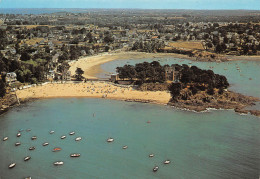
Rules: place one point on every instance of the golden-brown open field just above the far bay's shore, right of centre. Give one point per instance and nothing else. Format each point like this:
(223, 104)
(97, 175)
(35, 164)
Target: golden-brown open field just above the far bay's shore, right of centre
(192, 45)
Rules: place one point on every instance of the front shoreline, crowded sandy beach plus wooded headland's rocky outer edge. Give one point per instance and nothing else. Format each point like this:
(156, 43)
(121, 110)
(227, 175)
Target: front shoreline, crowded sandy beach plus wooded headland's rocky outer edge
(106, 90)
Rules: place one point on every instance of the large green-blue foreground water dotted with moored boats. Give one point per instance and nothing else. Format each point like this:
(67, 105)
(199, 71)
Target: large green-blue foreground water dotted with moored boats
(219, 144)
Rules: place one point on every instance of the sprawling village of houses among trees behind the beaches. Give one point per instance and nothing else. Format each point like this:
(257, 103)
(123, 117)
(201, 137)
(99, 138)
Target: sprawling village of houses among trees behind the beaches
(38, 48)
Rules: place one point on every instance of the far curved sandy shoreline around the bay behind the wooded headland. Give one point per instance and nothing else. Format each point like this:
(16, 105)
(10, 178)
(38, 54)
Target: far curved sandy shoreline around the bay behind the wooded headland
(91, 65)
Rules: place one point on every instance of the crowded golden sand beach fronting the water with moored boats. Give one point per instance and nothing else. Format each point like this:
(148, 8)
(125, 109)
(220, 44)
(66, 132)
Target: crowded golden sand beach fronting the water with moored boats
(93, 90)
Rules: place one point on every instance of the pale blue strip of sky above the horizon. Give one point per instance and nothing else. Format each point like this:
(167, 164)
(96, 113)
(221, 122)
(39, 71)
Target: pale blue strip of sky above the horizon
(142, 4)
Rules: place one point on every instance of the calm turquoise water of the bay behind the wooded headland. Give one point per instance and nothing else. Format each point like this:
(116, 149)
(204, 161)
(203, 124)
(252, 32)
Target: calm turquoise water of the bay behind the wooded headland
(245, 81)
